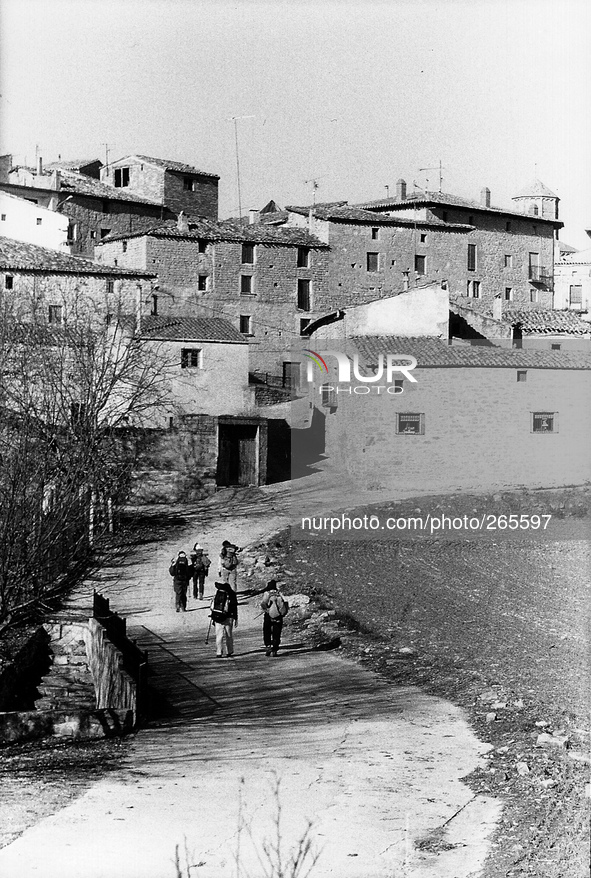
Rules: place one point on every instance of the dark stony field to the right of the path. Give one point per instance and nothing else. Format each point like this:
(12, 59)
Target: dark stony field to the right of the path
(499, 627)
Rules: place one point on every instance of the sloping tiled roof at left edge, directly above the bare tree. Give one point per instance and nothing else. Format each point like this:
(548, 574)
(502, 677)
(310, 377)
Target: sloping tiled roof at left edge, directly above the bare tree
(18, 256)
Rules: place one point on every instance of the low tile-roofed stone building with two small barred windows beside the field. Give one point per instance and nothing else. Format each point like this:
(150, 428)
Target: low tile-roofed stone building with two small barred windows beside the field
(475, 418)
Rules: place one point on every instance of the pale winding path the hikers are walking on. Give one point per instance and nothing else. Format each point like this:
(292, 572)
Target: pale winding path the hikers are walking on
(375, 768)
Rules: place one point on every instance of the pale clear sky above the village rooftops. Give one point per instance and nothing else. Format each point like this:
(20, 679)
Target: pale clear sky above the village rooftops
(353, 94)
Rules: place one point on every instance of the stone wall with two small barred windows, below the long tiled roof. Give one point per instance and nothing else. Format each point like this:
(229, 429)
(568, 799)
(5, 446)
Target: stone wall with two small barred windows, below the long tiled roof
(478, 431)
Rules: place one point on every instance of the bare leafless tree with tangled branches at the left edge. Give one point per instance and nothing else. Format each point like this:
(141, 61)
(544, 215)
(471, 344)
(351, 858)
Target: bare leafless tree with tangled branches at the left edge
(68, 393)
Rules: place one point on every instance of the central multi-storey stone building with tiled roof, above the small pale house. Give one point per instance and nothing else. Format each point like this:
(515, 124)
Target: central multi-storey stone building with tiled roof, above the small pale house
(269, 282)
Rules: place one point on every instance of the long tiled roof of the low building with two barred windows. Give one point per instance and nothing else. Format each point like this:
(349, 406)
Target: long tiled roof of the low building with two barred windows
(434, 353)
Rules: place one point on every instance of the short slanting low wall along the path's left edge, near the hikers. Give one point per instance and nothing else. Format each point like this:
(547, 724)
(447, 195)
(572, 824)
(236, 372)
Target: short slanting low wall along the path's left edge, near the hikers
(114, 688)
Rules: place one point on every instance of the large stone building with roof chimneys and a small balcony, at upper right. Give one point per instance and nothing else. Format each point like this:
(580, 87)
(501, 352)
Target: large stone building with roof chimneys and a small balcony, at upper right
(380, 248)
